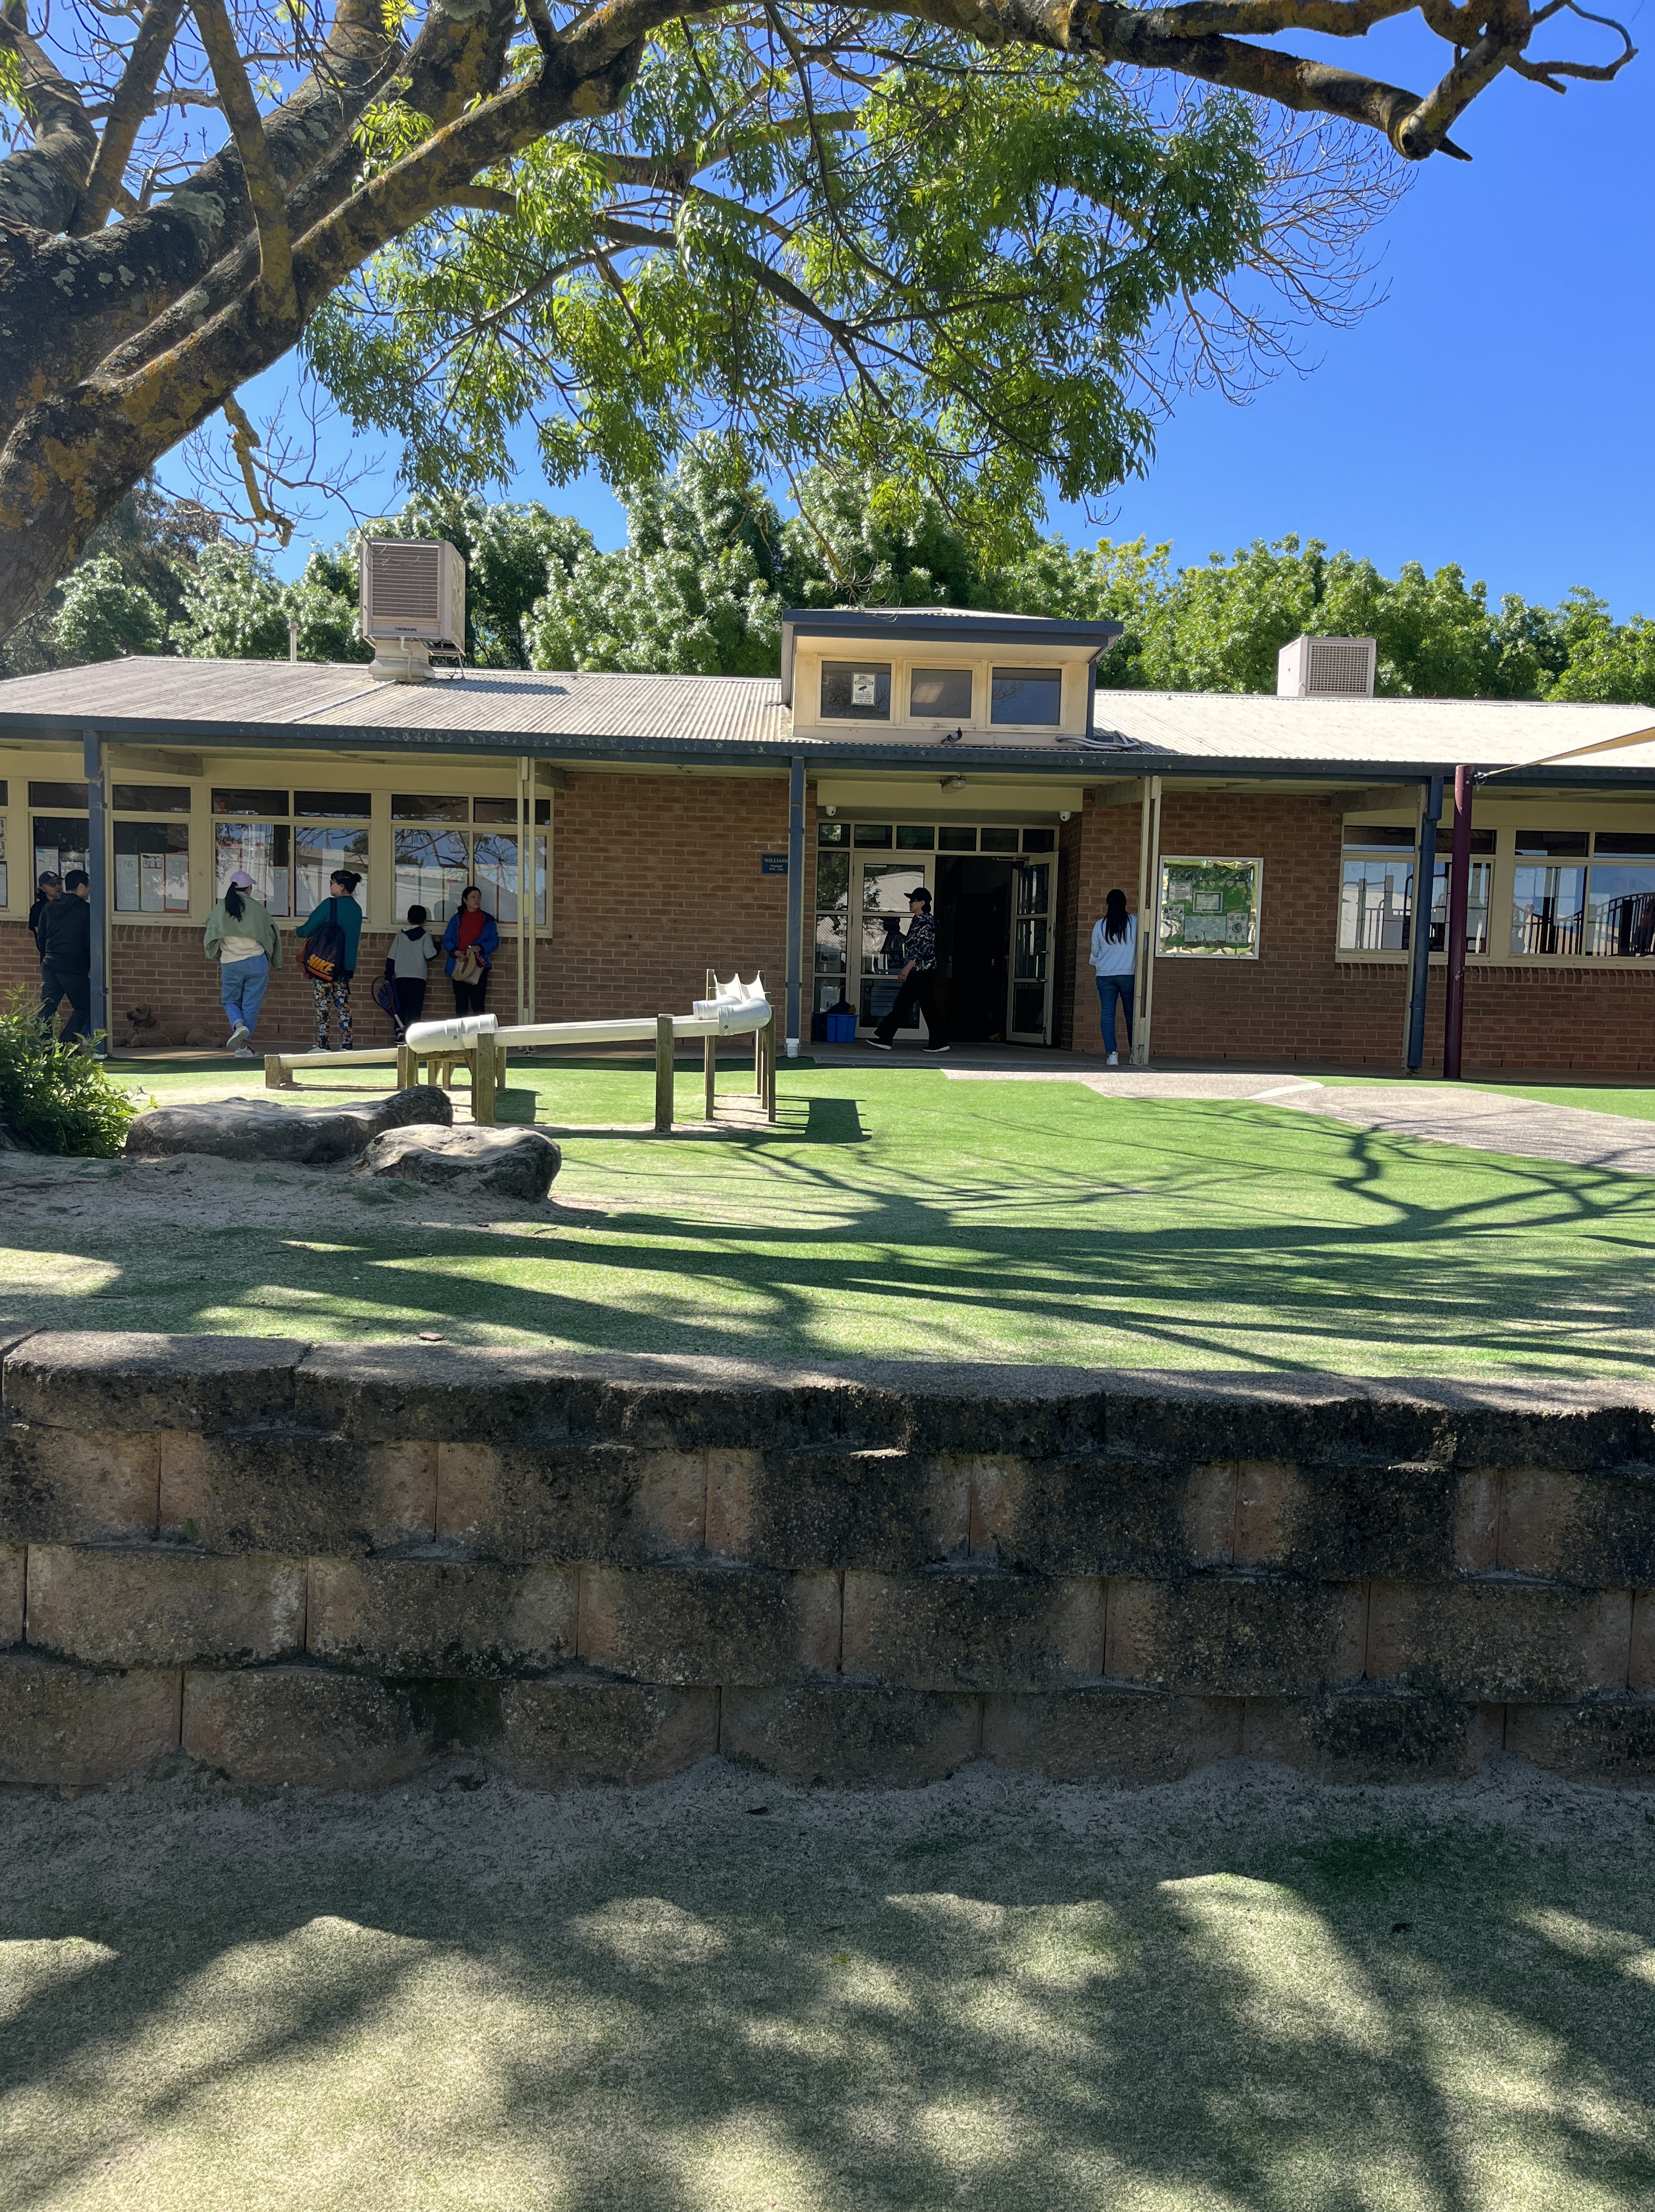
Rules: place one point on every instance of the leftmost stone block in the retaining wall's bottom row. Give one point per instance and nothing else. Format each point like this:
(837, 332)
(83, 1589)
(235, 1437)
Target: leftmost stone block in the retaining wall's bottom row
(76, 1729)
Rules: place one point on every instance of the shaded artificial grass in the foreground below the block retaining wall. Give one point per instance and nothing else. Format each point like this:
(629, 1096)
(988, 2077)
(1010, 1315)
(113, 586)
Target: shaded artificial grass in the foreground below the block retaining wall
(727, 1996)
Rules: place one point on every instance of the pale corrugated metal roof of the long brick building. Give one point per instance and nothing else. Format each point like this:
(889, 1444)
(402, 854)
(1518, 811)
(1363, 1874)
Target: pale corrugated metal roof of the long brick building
(218, 702)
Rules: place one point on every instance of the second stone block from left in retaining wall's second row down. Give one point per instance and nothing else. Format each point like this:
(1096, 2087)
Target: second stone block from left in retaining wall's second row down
(298, 1492)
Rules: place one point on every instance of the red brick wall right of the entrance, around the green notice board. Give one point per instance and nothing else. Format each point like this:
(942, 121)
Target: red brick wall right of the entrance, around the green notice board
(1295, 1003)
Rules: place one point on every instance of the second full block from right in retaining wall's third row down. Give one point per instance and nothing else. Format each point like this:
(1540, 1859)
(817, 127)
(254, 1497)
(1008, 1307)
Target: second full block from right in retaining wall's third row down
(1236, 1634)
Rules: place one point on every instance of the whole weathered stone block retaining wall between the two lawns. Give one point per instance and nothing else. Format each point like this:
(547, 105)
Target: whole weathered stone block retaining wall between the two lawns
(326, 1565)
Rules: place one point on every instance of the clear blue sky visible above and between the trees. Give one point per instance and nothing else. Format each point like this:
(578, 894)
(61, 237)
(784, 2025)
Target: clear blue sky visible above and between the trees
(1490, 410)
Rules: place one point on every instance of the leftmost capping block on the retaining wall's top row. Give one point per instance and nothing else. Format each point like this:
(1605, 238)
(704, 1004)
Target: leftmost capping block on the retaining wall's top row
(83, 1379)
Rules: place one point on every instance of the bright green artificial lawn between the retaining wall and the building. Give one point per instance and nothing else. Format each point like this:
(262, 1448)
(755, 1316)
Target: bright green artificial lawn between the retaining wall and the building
(904, 1215)
